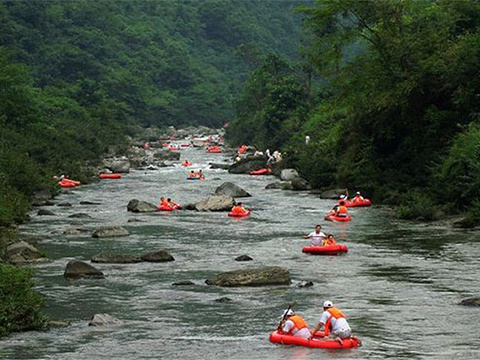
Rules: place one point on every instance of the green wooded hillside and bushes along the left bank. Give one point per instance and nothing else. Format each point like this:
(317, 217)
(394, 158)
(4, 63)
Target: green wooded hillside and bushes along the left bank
(76, 77)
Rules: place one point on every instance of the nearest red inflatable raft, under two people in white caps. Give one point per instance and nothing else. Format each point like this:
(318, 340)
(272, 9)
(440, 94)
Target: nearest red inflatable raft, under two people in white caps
(317, 342)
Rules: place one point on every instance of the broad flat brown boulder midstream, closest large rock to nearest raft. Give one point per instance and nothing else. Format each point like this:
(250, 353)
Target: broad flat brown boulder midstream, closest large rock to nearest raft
(270, 275)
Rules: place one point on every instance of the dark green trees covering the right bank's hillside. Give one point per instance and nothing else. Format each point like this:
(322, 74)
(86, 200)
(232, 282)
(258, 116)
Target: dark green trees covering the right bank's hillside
(394, 105)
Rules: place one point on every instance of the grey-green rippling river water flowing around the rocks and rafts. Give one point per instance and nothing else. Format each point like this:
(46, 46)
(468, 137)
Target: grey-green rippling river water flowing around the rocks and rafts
(400, 283)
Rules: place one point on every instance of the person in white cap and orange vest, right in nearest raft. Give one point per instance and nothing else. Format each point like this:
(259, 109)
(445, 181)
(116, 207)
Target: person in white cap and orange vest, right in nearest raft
(335, 323)
